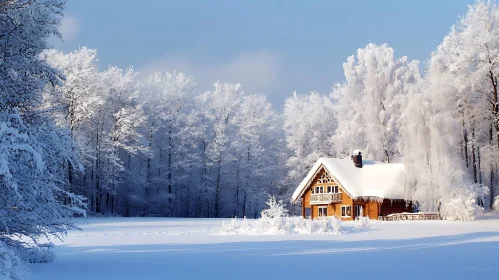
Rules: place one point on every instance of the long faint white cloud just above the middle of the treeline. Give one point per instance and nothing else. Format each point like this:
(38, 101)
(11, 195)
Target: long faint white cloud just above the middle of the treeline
(257, 71)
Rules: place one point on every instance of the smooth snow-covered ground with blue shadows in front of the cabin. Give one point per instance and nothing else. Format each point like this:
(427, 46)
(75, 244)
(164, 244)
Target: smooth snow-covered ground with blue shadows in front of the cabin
(156, 248)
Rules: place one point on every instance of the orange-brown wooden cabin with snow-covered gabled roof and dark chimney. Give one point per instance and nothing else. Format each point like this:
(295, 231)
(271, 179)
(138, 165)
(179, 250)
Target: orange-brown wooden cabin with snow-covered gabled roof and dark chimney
(352, 187)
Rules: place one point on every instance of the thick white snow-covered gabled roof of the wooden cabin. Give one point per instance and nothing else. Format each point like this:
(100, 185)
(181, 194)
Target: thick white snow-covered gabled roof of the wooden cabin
(374, 179)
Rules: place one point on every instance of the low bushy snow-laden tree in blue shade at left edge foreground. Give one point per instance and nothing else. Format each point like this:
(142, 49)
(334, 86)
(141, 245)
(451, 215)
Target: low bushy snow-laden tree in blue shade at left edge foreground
(32, 196)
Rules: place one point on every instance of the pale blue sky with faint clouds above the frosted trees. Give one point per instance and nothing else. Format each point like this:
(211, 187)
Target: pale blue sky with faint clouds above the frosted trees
(271, 47)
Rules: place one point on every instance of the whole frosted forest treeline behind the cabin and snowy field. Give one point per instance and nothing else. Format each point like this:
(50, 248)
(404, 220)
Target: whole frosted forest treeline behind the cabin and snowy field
(160, 146)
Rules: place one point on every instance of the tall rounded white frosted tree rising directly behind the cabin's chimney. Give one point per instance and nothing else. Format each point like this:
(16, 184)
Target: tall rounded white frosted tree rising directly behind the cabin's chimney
(368, 104)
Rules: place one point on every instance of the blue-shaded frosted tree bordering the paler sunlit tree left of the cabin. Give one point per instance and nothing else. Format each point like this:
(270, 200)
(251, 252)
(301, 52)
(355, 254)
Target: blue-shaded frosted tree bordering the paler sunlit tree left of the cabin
(259, 147)
